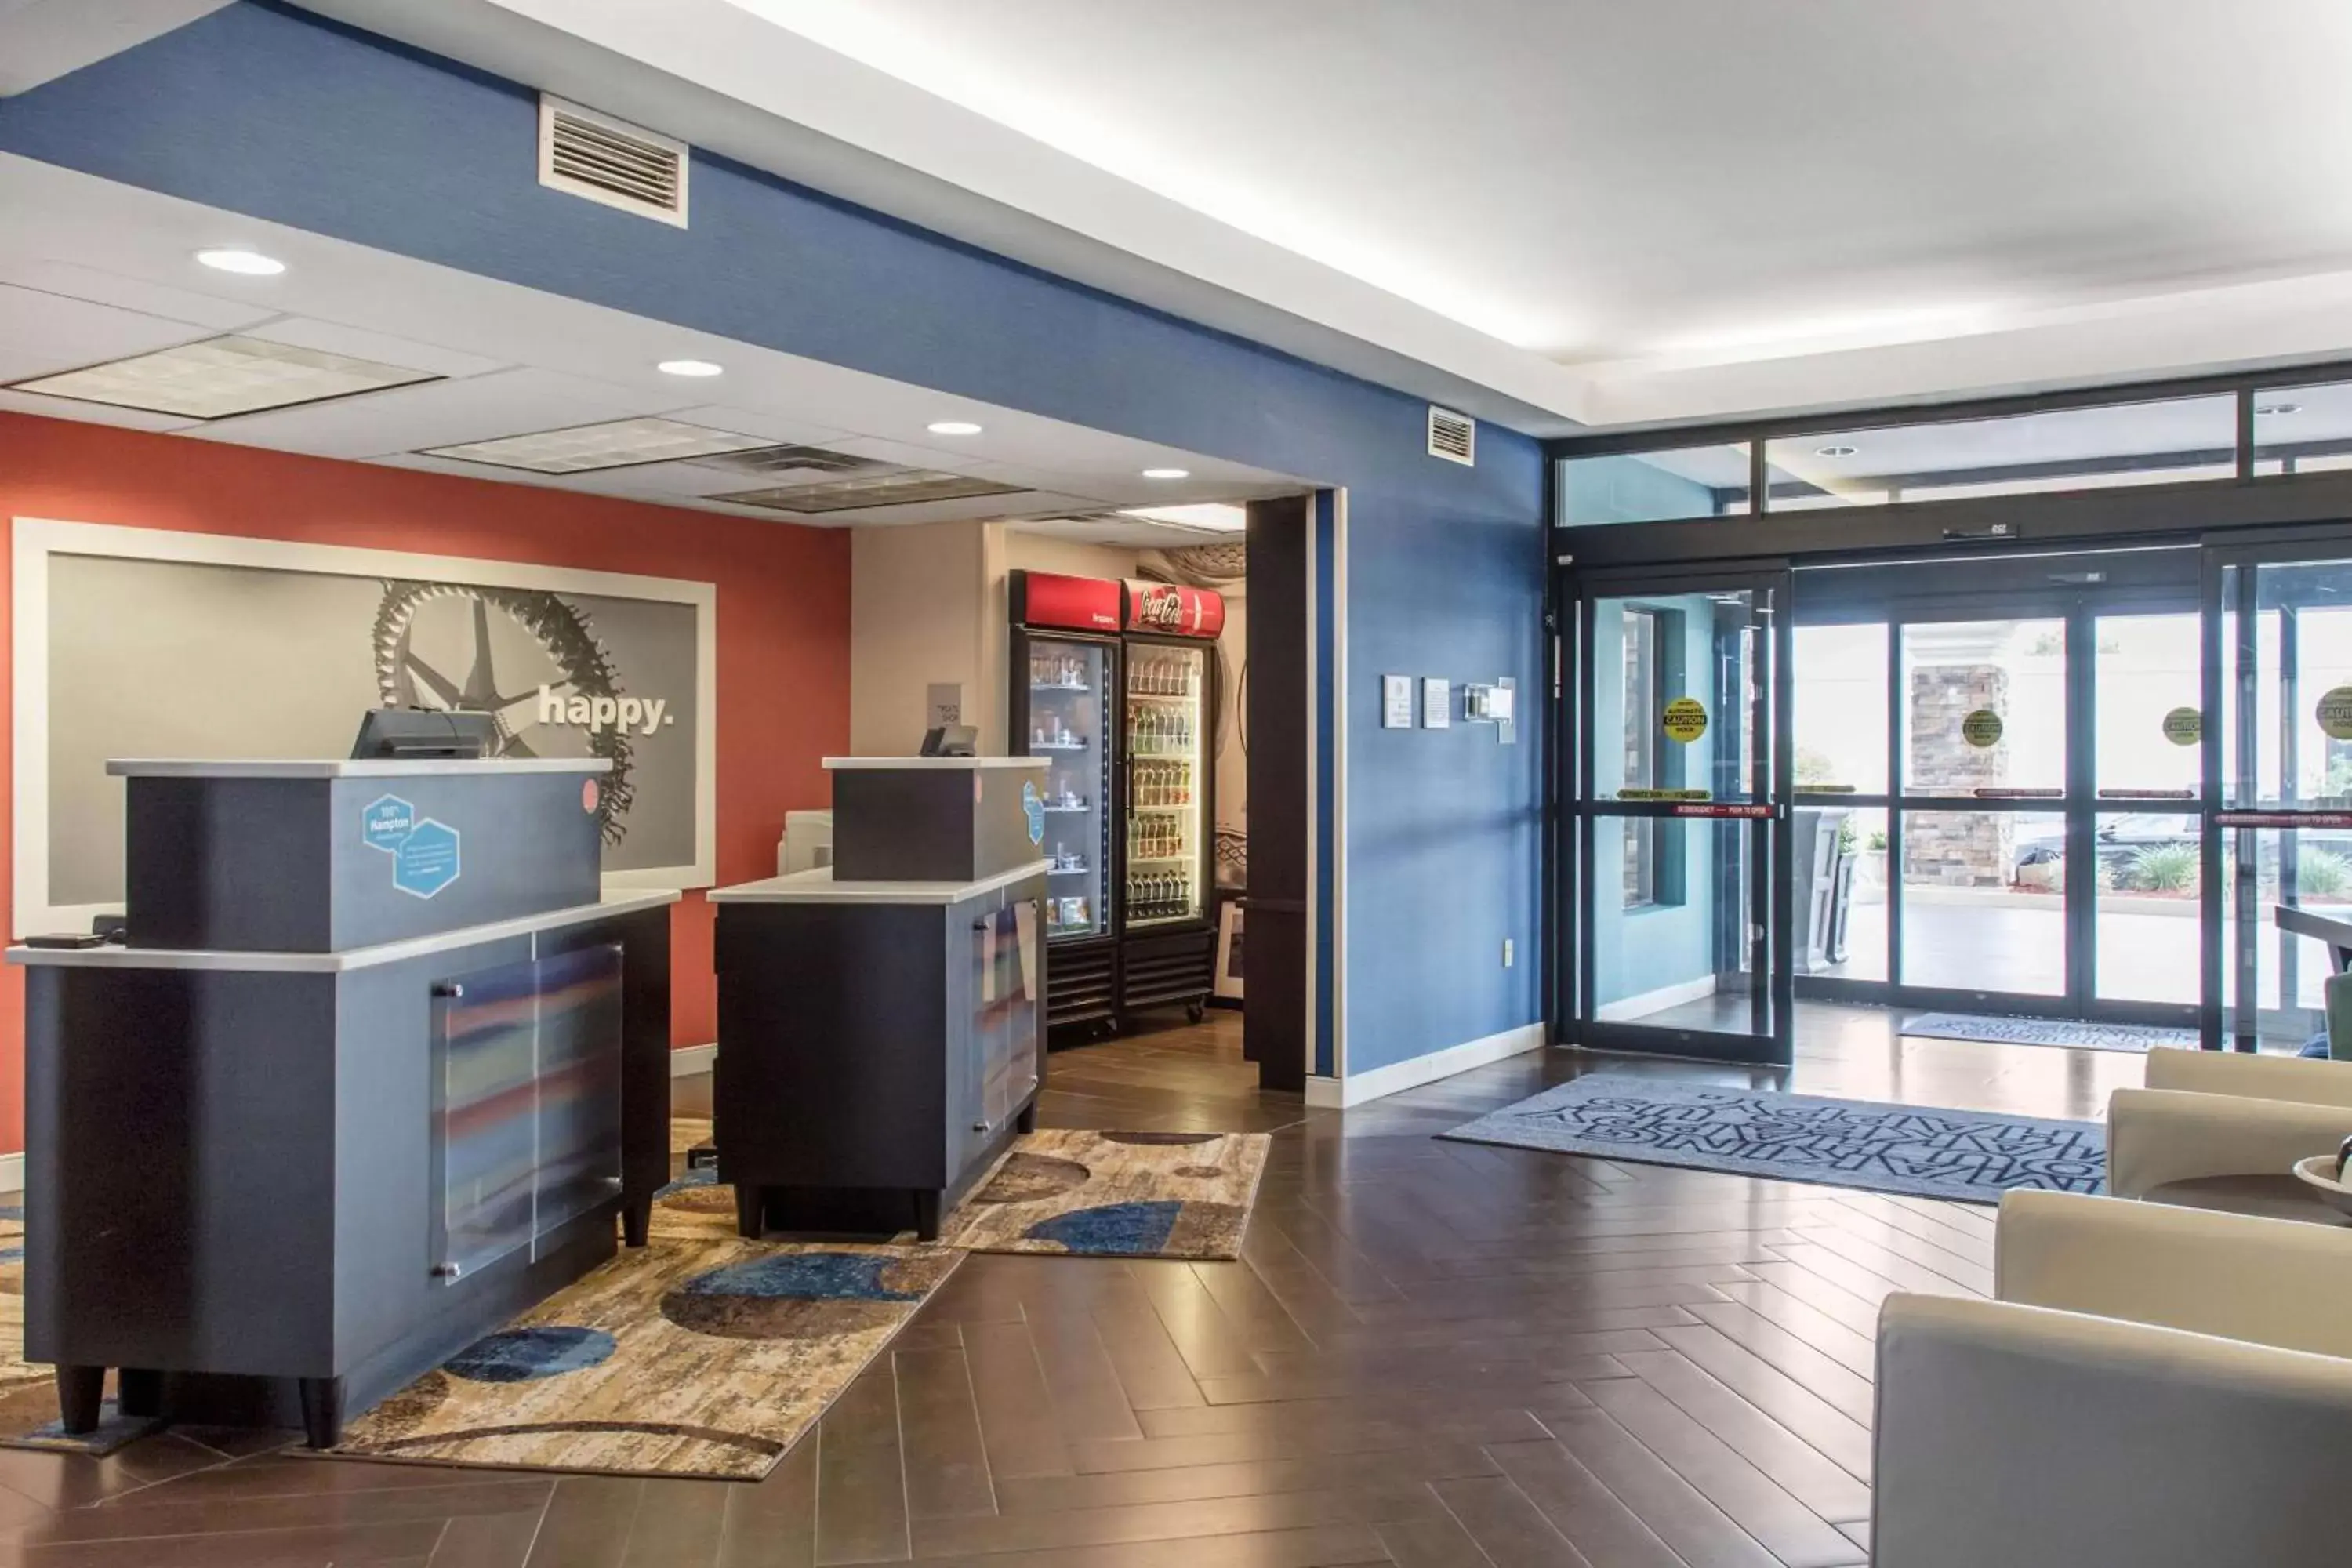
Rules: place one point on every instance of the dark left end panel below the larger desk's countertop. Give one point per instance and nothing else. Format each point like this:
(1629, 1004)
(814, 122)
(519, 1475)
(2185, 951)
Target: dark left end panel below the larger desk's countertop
(180, 1170)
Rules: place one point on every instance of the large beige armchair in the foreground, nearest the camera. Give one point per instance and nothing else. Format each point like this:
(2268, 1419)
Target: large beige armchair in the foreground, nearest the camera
(2160, 1388)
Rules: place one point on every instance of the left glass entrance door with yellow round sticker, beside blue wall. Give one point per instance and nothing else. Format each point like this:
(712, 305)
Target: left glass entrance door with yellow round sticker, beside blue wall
(1681, 829)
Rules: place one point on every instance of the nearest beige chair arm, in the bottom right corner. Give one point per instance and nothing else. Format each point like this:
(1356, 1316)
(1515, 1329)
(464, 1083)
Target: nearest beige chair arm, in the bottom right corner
(2014, 1435)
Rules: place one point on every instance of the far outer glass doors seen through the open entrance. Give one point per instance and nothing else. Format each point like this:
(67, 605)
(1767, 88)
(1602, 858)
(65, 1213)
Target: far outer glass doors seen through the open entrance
(1998, 772)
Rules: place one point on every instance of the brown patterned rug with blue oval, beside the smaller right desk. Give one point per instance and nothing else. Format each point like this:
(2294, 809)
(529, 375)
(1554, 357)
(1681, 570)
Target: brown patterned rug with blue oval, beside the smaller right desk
(1116, 1195)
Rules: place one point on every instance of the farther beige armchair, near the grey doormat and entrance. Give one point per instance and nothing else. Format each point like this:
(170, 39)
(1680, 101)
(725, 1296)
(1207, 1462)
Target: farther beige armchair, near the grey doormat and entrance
(2224, 1113)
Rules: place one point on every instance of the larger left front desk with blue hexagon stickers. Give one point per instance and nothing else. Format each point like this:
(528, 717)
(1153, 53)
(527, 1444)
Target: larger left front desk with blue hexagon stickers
(276, 1172)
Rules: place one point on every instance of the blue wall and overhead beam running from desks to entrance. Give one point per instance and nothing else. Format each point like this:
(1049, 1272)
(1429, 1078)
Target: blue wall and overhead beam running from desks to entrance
(290, 119)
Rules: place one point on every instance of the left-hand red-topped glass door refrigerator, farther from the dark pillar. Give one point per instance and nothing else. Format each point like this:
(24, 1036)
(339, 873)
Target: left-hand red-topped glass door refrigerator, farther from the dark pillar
(1064, 706)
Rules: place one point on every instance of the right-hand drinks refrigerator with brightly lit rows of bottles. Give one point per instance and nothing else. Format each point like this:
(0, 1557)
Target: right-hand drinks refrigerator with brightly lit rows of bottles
(1168, 937)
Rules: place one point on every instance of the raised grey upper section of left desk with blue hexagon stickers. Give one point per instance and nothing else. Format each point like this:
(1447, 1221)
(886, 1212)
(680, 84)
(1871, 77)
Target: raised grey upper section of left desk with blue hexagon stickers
(288, 864)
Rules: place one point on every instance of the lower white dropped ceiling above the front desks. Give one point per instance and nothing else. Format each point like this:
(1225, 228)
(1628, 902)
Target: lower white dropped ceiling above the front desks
(107, 272)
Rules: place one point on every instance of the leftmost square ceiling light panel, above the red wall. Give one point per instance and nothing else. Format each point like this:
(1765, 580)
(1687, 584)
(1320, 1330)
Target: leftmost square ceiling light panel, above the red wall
(222, 377)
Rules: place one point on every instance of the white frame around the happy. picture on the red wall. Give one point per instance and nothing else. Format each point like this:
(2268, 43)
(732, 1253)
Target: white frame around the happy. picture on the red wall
(36, 540)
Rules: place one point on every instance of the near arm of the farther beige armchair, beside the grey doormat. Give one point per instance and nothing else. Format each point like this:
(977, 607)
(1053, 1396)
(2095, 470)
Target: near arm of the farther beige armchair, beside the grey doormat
(2163, 1137)
